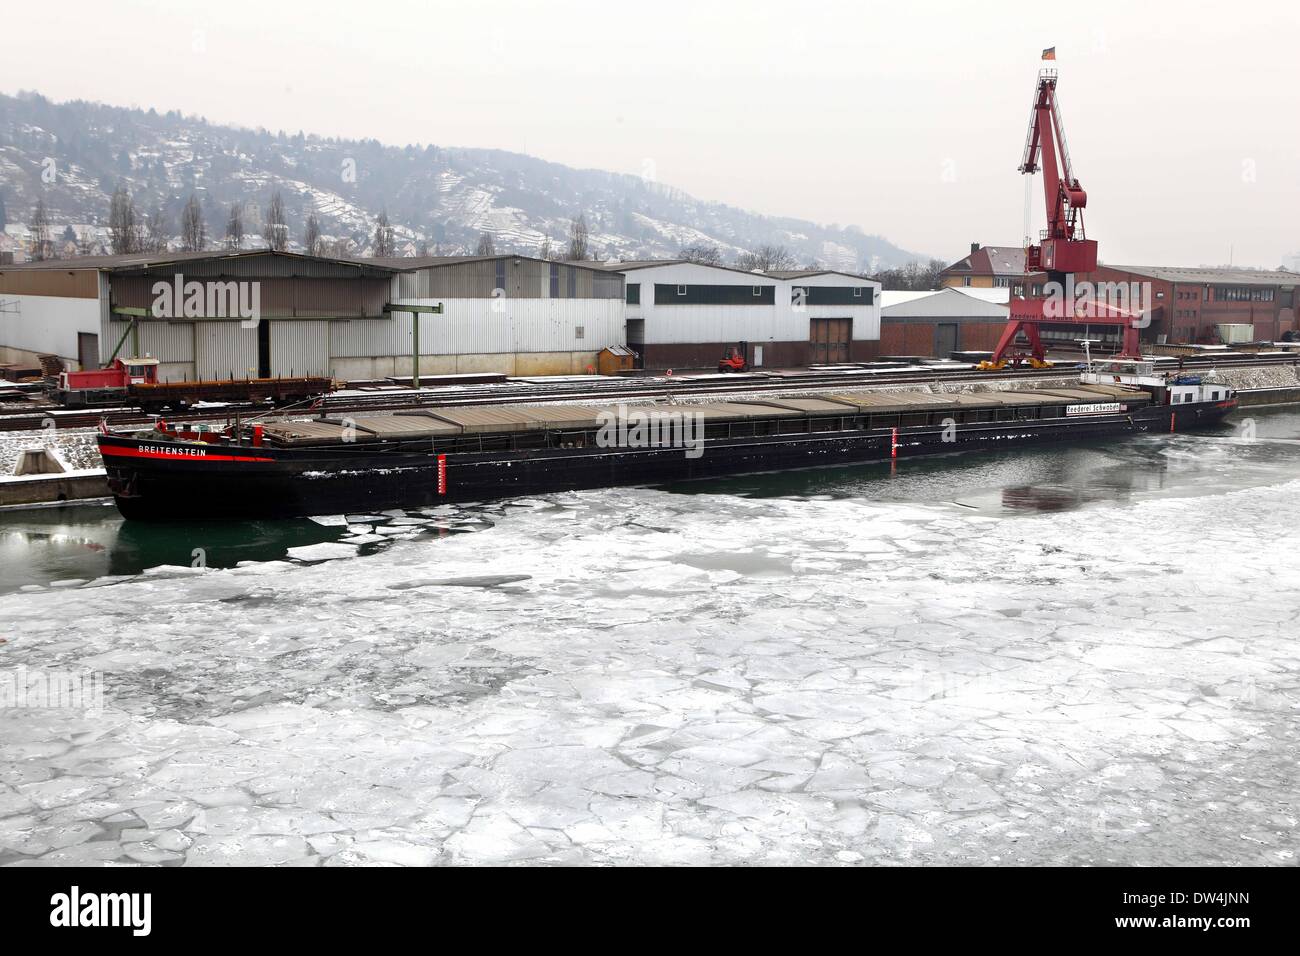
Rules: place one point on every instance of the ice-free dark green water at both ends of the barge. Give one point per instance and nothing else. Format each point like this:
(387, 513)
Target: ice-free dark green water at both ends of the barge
(88, 542)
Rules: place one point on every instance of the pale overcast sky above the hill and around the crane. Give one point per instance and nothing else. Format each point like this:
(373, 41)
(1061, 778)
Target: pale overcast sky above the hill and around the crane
(907, 119)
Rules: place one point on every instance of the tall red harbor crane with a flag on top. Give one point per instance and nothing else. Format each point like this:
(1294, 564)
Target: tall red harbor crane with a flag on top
(1063, 249)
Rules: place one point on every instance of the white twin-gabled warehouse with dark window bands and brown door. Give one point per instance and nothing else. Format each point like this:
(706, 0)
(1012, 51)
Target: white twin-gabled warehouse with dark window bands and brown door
(688, 315)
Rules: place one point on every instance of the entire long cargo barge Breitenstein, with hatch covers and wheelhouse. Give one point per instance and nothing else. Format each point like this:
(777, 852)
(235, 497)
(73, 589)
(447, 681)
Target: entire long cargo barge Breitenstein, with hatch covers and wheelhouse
(471, 453)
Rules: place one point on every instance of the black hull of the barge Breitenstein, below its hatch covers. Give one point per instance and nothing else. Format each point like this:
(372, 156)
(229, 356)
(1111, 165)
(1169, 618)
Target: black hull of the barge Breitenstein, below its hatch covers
(155, 481)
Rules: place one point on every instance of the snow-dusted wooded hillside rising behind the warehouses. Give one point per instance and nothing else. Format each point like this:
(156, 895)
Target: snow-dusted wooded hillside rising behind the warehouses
(73, 155)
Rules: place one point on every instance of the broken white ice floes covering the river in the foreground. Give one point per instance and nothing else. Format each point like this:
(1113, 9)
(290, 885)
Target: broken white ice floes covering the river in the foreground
(639, 677)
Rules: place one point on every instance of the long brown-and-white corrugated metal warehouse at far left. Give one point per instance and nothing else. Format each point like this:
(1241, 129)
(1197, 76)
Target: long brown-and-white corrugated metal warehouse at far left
(219, 315)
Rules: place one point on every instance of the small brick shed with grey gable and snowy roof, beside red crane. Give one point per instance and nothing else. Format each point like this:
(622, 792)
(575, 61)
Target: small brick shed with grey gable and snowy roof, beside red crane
(942, 322)
